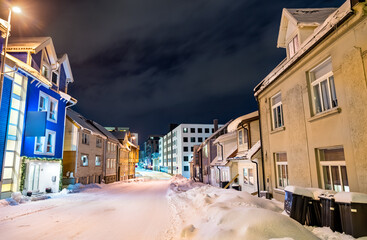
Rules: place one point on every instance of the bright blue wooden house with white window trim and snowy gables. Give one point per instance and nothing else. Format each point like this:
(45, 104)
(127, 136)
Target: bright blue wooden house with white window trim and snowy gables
(32, 117)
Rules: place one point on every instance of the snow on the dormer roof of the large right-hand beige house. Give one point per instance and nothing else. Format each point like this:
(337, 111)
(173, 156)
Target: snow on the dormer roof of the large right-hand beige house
(310, 15)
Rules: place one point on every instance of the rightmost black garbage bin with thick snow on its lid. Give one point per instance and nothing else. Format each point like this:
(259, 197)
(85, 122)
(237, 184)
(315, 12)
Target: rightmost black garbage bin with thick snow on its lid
(353, 212)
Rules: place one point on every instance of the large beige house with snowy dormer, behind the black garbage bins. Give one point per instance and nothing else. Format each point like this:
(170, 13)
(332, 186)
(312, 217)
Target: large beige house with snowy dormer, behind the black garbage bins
(312, 105)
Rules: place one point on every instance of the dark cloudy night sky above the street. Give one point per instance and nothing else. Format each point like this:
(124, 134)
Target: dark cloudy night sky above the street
(147, 63)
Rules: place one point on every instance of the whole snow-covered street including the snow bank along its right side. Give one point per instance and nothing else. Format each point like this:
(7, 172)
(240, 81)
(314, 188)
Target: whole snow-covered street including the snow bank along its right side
(155, 209)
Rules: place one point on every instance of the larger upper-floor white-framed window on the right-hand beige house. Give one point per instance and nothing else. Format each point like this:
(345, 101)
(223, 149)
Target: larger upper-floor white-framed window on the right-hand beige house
(323, 87)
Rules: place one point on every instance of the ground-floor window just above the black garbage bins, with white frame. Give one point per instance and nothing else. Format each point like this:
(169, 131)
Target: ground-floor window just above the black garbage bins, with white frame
(333, 169)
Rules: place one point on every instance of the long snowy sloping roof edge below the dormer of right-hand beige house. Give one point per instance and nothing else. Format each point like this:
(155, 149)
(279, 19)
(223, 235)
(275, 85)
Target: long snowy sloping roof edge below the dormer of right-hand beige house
(321, 31)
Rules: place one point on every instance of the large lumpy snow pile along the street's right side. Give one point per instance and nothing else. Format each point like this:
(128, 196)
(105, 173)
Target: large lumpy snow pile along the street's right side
(208, 212)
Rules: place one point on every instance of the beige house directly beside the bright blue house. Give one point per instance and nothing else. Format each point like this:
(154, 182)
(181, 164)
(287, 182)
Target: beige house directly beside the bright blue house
(83, 150)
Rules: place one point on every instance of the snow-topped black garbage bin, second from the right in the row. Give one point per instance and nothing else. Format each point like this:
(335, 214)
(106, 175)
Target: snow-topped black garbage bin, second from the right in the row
(330, 215)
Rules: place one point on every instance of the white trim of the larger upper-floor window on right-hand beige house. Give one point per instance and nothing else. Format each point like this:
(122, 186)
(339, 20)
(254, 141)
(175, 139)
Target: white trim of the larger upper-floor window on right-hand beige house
(318, 82)
